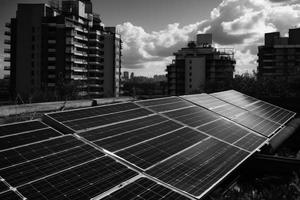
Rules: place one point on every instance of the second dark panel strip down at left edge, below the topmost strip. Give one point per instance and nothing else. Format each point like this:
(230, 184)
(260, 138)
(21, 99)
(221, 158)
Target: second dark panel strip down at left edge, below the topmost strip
(26, 138)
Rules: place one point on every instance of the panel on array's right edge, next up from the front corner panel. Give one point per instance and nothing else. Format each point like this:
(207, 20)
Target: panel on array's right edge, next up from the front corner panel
(230, 132)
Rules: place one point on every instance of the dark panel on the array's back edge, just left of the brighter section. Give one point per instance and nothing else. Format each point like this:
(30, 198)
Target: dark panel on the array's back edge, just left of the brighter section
(165, 104)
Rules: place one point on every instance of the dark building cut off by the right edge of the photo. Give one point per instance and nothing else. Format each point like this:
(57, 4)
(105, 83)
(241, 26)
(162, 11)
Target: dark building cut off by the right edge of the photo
(279, 58)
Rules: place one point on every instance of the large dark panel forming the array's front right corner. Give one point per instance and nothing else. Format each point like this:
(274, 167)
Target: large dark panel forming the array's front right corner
(198, 168)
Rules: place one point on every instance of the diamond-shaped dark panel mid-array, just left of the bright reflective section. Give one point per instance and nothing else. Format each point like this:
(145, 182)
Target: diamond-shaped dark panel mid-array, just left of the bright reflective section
(193, 116)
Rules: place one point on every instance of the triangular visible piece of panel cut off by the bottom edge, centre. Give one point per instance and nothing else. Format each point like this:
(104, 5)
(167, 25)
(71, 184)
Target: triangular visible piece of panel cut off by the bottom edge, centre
(145, 189)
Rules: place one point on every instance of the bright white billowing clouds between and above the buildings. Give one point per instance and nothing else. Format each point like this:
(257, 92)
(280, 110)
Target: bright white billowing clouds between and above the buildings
(234, 23)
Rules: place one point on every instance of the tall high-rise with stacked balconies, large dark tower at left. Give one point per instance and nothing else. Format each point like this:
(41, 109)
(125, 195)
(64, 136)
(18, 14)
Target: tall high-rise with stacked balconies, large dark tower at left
(57, 44)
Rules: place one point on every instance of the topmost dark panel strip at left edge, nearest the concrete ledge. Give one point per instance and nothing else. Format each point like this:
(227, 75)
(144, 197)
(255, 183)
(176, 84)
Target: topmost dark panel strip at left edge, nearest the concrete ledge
(16, 128)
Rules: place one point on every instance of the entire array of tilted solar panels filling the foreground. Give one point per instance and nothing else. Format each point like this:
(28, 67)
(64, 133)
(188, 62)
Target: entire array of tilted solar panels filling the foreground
(168, 148)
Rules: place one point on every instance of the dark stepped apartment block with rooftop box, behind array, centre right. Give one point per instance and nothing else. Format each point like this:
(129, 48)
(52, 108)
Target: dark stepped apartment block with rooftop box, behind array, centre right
(197, 64)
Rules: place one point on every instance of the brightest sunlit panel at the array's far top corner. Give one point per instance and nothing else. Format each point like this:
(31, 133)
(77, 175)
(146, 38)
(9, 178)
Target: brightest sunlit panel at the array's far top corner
(235, 98)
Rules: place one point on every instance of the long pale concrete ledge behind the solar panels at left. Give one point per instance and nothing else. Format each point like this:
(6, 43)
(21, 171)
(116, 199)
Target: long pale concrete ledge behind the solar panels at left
(10, 110)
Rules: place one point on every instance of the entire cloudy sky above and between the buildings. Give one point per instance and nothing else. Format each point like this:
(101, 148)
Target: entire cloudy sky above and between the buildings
(153, 30)
